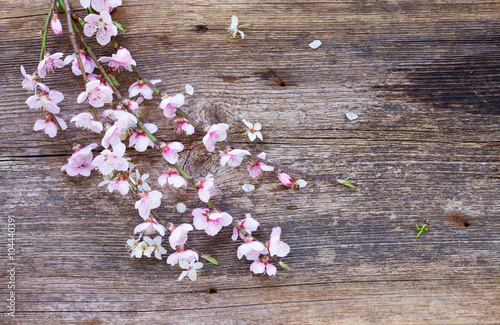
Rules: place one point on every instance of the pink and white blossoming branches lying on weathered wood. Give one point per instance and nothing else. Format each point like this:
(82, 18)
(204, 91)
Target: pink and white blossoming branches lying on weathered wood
(119, 173)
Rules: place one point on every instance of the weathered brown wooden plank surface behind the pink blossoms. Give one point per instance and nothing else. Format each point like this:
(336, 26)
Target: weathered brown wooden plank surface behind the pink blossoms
(424, 78)
